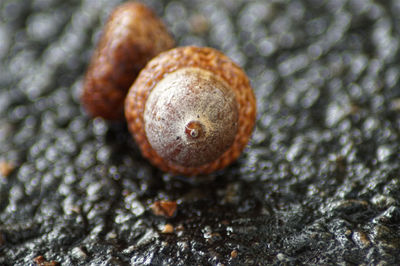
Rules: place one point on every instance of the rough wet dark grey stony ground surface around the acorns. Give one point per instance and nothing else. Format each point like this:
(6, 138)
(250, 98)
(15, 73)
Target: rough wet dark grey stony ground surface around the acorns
(319, 182)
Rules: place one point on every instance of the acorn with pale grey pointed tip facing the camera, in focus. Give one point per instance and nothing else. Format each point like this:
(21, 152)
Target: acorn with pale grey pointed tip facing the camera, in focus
(191, 110)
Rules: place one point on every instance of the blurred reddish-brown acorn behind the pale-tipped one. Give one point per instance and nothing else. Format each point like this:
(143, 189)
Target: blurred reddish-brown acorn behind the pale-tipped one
(132, 36)
